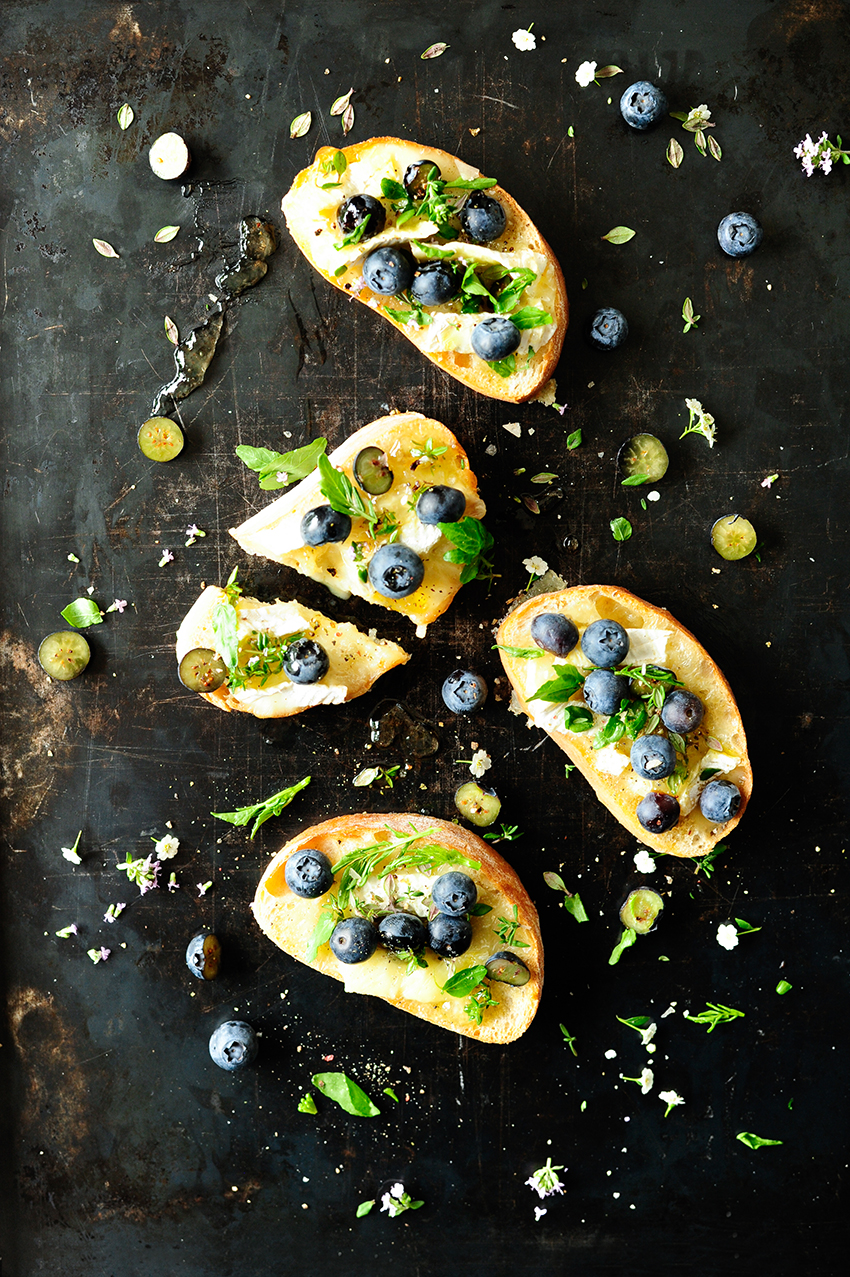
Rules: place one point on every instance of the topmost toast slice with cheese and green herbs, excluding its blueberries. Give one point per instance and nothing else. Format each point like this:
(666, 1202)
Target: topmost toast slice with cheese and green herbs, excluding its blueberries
(514, 275)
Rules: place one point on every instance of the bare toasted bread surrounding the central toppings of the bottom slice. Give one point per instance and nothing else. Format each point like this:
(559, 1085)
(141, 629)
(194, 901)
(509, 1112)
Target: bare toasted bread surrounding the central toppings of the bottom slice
(289, 921)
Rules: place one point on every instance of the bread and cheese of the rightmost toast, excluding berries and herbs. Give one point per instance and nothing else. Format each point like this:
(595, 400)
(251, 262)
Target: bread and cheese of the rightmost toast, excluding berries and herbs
(657, 639)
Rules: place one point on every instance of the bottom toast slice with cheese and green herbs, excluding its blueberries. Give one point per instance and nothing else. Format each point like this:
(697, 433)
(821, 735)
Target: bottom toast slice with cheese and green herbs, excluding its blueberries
(398, 859)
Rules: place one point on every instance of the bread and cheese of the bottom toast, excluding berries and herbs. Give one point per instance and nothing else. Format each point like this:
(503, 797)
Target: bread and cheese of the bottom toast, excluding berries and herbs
(290, 921)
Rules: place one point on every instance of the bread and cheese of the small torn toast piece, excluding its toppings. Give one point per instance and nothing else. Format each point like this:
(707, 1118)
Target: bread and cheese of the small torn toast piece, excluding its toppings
(357, 661)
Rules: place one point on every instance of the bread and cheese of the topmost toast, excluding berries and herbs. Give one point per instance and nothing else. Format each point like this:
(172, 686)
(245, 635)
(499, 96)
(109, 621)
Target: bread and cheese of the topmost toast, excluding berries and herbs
(312, 218)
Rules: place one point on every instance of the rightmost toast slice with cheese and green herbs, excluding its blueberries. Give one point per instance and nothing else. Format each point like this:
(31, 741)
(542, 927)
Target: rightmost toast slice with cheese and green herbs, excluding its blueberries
(715, 752)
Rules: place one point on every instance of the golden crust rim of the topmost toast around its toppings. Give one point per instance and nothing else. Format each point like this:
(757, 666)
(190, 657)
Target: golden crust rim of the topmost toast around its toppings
(520, 234)
